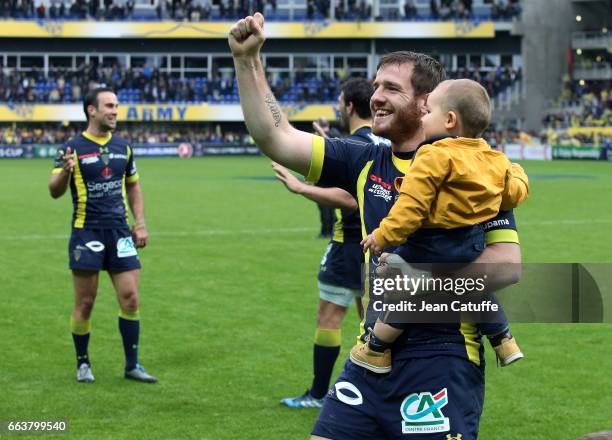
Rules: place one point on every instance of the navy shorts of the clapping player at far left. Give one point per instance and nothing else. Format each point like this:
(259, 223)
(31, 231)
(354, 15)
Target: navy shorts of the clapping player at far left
(102, 249)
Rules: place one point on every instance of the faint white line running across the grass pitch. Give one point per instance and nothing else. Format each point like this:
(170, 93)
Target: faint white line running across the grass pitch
(212, 232)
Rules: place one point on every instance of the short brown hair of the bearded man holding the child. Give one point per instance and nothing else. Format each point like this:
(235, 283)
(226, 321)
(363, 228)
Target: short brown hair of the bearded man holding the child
(427, 72)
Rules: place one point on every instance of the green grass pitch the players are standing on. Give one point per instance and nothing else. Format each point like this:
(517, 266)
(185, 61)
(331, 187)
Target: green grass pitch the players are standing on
(228, 309)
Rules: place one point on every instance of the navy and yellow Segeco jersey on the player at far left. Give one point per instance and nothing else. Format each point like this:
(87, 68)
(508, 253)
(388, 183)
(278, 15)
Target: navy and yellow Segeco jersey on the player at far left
(102, 167)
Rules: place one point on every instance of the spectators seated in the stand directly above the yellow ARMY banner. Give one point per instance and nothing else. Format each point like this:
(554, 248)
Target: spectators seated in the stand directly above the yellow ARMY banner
(151, 85)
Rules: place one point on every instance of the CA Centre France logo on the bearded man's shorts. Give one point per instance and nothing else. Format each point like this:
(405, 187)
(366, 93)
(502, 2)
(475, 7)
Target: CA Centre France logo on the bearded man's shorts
(422, 413)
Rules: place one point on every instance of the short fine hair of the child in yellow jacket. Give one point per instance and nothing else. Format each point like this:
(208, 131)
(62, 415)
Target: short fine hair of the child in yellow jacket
(471, 102)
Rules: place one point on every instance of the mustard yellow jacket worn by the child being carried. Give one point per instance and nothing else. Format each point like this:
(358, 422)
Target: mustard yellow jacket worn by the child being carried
(452, 183)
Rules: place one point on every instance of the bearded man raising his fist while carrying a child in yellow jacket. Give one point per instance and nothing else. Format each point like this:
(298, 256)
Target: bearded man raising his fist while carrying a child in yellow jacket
(436, 387)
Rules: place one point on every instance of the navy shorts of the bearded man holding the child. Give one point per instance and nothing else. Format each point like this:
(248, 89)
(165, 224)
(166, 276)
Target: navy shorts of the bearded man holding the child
(422, 398)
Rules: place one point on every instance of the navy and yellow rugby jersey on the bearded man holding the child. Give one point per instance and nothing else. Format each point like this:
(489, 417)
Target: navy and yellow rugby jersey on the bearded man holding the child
(368, 173)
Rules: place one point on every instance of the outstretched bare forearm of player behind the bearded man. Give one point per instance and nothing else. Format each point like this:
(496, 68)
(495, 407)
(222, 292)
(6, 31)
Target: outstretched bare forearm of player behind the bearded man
(332, 197)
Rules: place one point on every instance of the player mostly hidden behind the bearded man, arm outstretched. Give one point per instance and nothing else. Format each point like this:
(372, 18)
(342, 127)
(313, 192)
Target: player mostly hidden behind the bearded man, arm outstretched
(339, 279)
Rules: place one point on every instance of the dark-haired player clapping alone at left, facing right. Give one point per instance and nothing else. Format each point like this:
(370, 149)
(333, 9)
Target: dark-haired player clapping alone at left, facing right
(100, 169)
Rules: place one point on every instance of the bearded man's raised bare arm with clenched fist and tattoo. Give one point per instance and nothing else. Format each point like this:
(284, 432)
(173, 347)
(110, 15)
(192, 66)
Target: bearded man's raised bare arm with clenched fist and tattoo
(263, 116)
